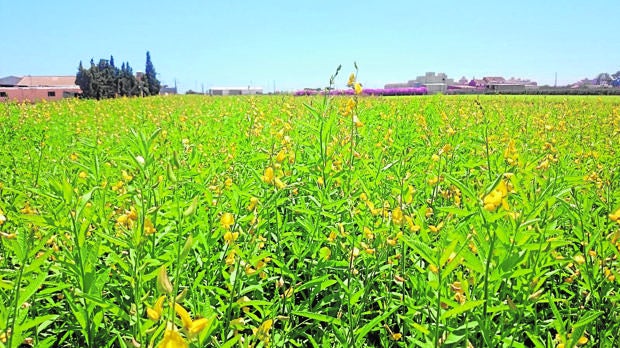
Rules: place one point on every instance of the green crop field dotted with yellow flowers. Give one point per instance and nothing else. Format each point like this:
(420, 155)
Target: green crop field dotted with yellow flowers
(319, 221)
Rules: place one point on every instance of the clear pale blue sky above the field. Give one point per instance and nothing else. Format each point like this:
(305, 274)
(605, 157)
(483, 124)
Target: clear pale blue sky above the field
(299, 44)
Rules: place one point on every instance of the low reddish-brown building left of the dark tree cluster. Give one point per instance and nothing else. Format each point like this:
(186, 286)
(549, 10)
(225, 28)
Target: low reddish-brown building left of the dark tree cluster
(36, 88)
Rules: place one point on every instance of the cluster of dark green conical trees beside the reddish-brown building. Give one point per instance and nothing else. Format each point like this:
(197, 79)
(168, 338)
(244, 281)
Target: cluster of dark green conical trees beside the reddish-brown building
(106, 80)
